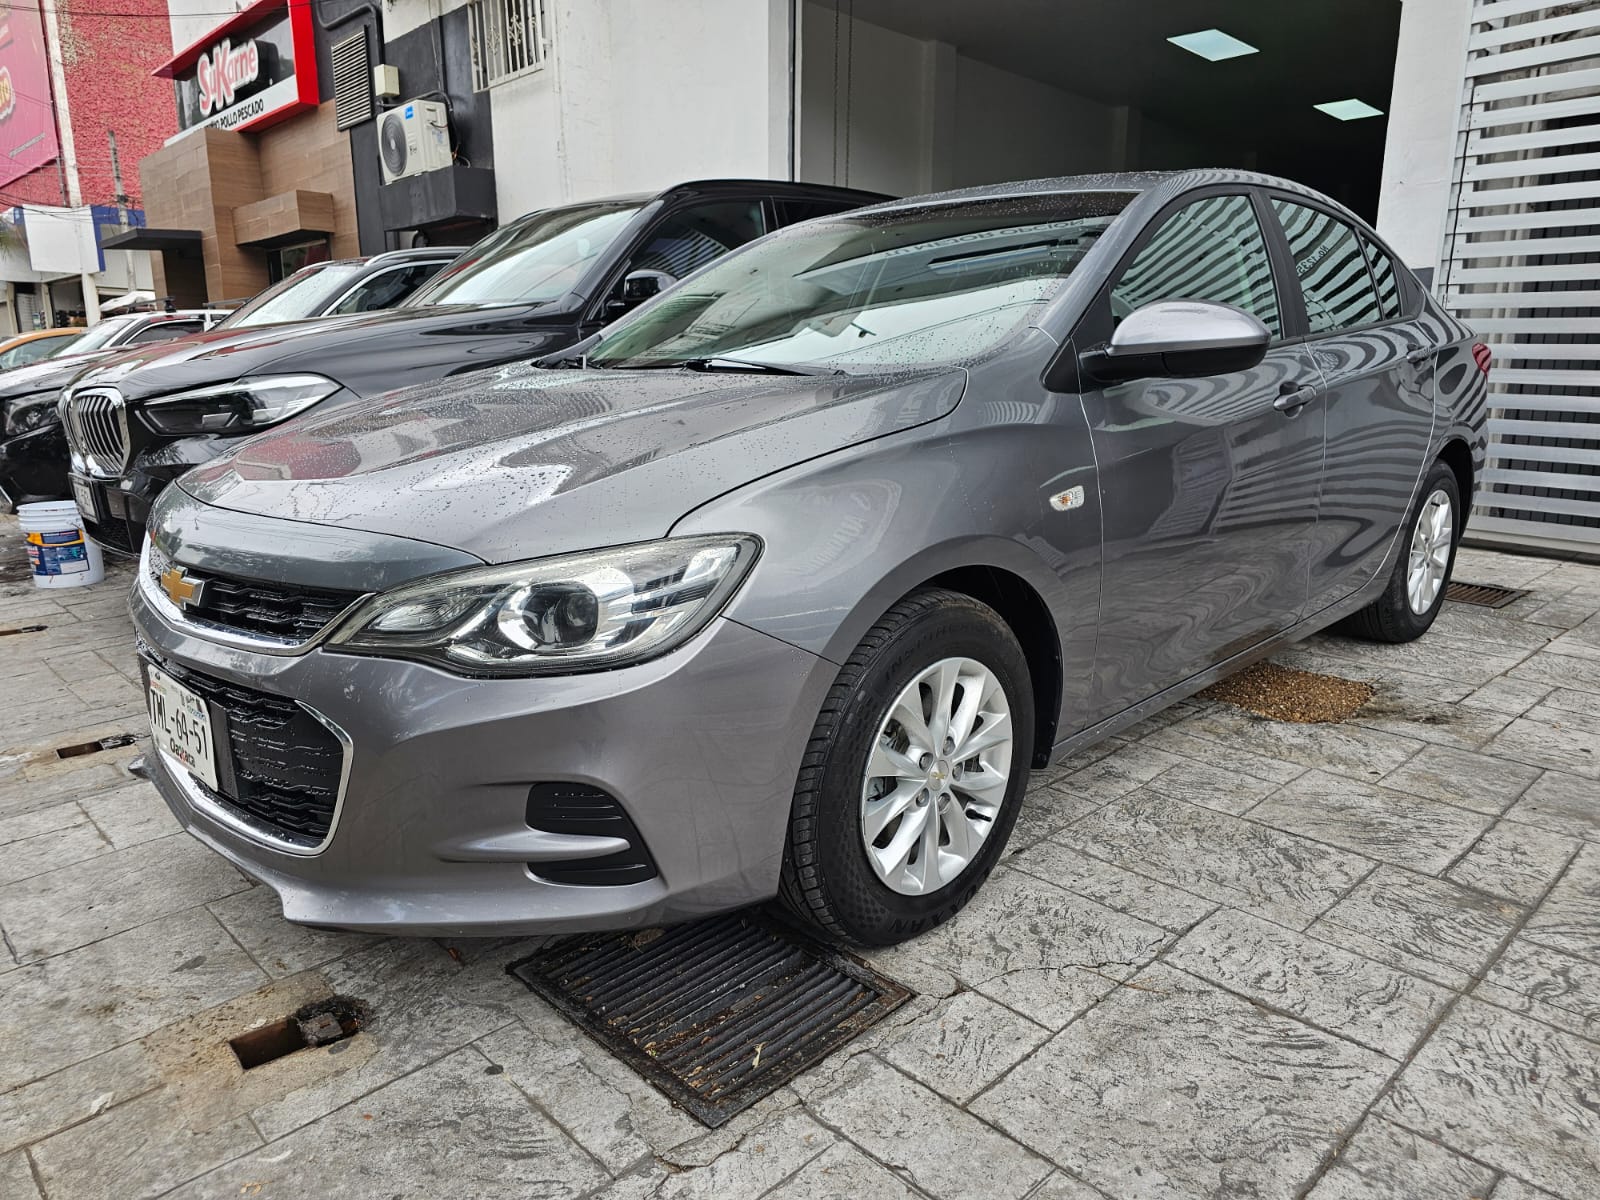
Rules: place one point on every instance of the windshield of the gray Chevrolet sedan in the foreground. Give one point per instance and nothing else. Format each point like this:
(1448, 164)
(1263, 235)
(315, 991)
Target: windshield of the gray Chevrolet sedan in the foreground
(924, 287)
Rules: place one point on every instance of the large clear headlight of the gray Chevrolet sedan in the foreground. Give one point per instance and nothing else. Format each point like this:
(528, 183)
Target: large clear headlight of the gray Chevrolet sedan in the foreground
(583, 612)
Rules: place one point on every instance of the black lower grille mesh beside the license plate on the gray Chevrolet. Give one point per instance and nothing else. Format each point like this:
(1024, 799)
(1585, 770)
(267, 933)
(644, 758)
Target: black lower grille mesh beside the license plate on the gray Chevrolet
(284, 767)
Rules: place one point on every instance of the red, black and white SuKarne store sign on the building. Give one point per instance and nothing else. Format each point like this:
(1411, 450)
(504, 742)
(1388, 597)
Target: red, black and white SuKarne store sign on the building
(255, 70)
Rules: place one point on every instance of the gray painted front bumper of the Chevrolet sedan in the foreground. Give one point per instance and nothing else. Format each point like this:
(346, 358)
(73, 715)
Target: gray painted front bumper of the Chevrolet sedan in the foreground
(700, 748)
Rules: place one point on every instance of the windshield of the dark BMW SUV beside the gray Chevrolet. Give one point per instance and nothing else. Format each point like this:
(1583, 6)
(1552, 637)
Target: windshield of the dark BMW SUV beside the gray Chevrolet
(530, 262)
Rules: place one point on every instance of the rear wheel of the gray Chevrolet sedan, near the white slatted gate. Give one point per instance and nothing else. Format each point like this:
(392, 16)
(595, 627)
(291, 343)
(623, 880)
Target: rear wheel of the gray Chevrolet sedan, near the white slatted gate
(1417, 588)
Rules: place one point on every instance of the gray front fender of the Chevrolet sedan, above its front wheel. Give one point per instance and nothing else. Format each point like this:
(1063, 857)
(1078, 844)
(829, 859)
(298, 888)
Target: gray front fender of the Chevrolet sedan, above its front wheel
(874, 522)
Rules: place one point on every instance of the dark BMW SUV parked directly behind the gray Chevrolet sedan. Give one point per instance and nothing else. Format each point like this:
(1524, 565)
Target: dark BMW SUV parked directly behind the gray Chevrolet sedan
(534, 287)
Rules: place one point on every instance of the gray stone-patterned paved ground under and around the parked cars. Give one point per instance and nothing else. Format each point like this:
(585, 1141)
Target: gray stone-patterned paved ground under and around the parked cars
(1223, 959)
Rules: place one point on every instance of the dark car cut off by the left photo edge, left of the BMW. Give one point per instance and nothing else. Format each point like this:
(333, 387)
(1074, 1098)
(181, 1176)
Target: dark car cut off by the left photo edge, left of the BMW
(33, 450)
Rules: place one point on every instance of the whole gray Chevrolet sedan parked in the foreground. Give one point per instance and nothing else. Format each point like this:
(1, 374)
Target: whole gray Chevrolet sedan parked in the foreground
(782, 585)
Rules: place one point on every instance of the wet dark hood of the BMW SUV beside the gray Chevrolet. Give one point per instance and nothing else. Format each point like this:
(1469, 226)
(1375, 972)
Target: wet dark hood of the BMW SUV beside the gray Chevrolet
(223, 356)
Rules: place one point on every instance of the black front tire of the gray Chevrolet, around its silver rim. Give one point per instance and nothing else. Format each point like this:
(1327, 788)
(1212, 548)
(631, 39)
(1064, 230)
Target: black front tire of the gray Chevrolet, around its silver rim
(826, 878)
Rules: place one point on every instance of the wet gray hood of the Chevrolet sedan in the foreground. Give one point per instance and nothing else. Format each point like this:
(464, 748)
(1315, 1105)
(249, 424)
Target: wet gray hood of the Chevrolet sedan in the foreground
(521, 463)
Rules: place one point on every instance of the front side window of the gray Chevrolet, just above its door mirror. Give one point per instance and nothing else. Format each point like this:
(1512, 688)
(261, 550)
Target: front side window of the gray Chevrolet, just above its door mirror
(1210, 250)
